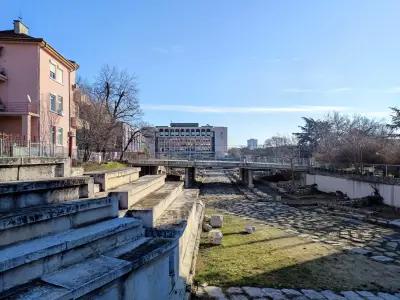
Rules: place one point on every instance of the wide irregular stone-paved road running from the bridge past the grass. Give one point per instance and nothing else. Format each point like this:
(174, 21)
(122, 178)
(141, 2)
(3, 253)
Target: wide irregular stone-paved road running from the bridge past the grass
(378, 243)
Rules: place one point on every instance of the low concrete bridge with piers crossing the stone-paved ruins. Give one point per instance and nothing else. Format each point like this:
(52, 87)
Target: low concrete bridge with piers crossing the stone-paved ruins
(246, 167)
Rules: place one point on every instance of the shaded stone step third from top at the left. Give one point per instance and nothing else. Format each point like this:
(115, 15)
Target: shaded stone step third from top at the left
(34, 222)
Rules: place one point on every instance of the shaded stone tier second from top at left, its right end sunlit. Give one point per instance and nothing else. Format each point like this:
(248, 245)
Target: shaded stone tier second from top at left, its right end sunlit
(20, 194)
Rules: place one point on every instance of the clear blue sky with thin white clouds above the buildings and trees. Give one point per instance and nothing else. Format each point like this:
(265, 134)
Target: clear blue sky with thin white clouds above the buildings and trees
(254, 66)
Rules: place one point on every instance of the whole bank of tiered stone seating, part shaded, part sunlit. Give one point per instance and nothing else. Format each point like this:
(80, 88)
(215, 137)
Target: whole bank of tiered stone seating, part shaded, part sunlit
(64, 248)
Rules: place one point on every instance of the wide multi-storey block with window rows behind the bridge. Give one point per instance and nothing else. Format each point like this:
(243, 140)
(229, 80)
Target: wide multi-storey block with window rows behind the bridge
(189, 140)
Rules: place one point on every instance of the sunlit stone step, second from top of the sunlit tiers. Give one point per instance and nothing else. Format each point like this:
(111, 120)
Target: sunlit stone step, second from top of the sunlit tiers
(129, 194)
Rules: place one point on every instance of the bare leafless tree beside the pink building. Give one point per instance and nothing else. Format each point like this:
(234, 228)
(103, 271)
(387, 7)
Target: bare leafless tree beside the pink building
(108, 103)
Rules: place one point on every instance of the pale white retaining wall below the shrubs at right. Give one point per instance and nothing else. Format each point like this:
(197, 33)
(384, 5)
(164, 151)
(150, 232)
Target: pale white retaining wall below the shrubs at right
(355, 188)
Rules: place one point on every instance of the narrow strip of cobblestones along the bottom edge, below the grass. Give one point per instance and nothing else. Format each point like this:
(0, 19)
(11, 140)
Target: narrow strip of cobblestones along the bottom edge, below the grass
(246, 292)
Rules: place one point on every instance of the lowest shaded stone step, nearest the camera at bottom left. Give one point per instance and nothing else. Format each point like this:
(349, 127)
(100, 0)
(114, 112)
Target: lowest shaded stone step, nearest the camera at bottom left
(95, 278)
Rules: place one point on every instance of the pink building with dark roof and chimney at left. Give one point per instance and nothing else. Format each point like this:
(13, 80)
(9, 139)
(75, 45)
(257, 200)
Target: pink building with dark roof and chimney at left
(36, 90)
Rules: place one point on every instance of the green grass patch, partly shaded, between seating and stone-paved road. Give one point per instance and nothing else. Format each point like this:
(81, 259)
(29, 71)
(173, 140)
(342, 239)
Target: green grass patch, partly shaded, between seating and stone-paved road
(274, 258)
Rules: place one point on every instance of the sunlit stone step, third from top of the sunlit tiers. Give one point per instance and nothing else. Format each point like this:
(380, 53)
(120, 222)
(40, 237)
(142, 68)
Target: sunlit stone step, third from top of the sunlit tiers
(153, 205)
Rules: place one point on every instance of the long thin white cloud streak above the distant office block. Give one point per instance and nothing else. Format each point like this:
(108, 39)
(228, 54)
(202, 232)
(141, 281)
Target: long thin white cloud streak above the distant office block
(244, 109)
